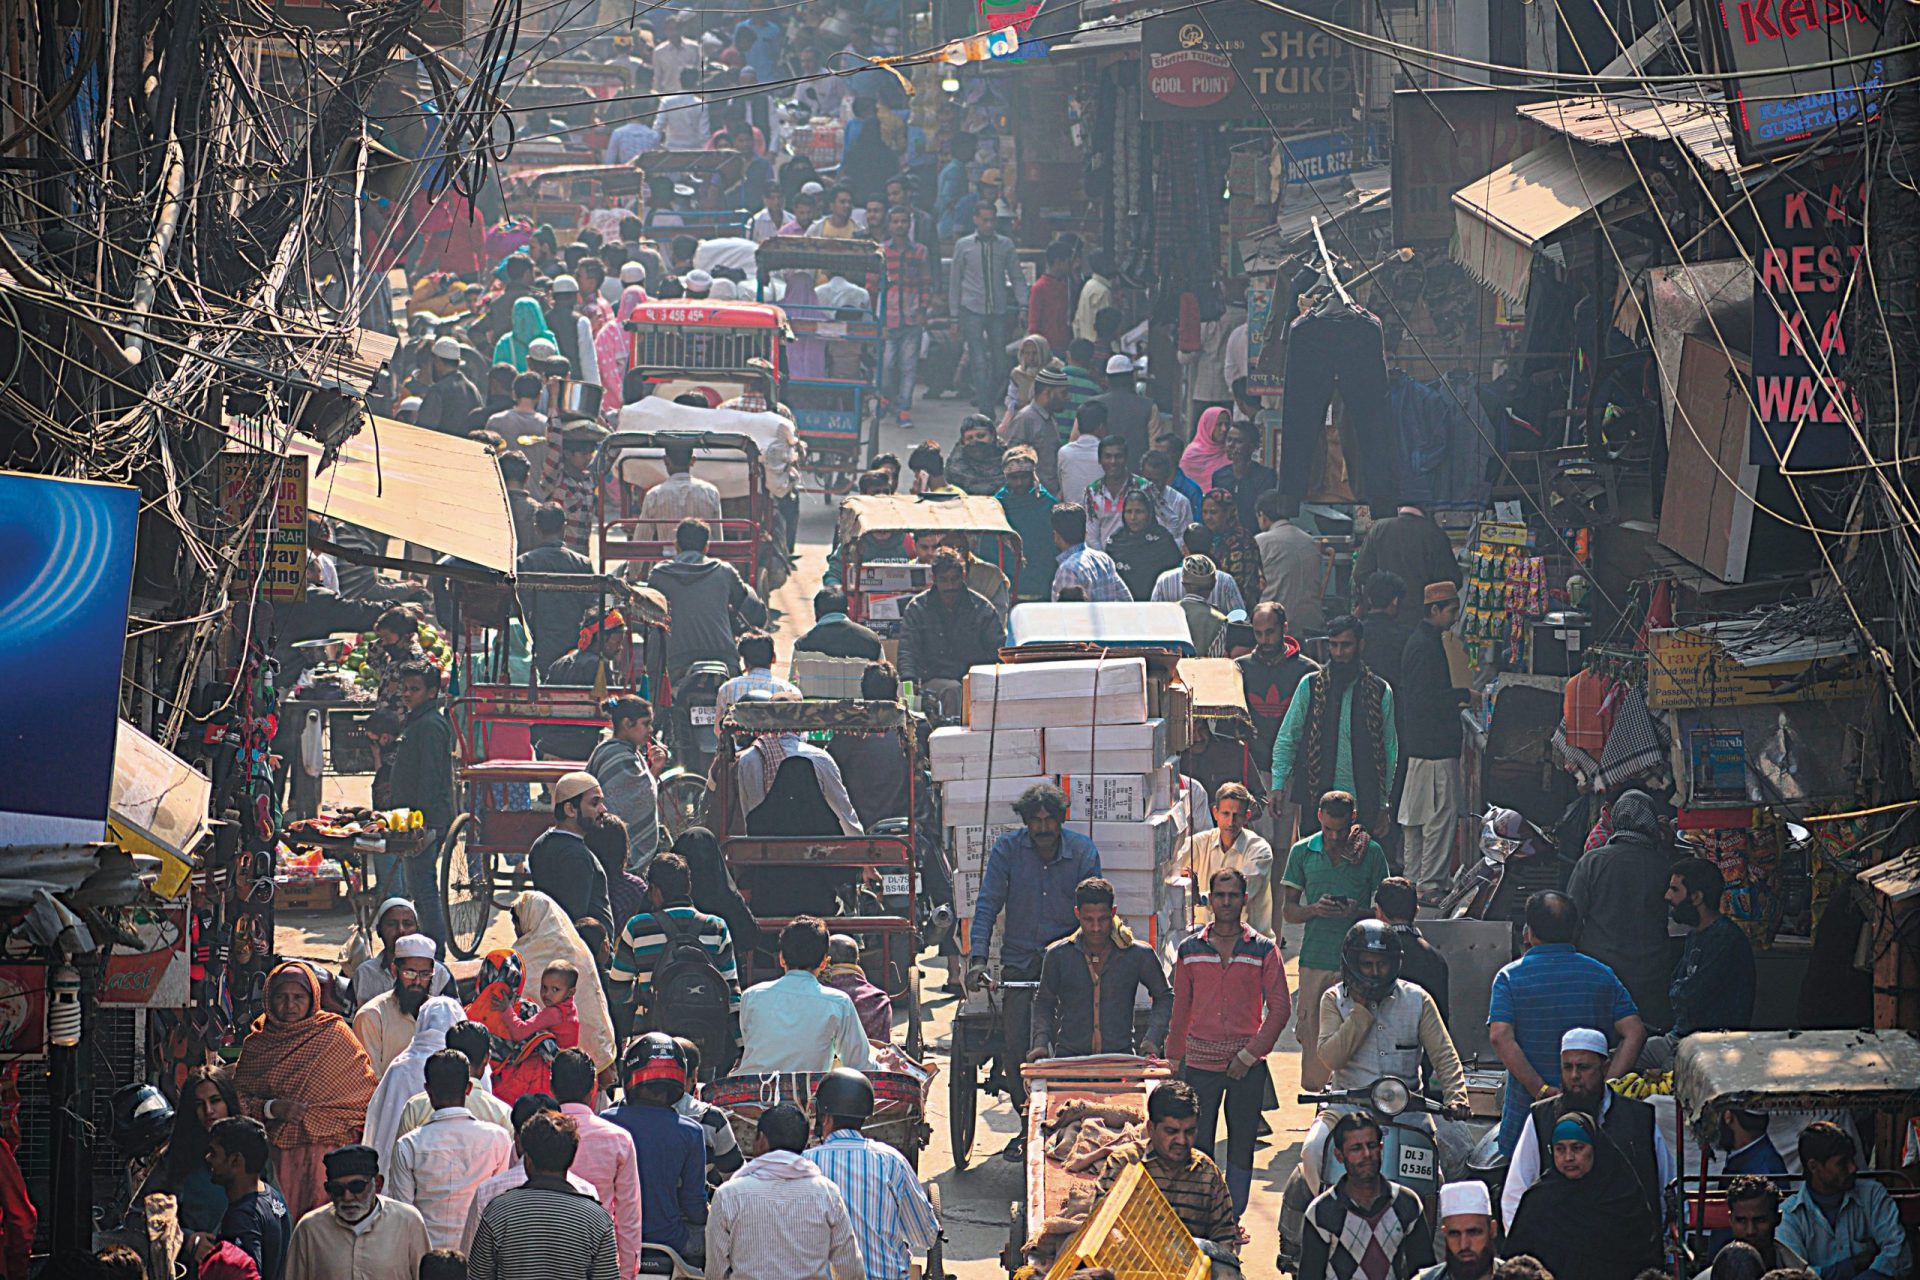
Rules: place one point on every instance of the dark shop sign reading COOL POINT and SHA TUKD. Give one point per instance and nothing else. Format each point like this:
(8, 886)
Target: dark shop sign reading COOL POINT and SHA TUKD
(1239, 60)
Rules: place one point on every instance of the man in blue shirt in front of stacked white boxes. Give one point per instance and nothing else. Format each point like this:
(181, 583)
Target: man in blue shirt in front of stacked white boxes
(1034, 874)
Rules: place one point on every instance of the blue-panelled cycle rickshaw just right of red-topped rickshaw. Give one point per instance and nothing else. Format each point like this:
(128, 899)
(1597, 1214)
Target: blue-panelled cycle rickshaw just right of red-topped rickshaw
(838, 346)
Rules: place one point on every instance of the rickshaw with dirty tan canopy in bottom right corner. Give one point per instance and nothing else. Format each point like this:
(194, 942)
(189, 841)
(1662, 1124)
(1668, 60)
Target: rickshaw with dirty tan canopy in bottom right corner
(1867, 1081)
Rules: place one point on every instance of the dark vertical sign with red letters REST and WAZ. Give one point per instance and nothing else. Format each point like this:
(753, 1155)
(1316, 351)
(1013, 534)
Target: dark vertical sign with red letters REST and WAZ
(1808, 268)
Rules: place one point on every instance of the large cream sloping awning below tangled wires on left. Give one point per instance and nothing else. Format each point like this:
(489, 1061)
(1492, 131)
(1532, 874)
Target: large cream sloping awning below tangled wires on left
(439, 492)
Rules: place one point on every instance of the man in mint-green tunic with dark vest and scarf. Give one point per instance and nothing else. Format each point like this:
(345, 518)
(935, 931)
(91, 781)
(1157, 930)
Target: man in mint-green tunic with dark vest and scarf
(1339, 734)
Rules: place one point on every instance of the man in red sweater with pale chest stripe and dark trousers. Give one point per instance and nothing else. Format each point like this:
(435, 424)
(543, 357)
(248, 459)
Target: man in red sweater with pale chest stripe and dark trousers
(1230, 1007)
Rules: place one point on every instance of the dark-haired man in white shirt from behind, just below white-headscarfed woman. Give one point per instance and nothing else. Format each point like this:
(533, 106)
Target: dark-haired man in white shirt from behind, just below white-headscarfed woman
(441, 1164)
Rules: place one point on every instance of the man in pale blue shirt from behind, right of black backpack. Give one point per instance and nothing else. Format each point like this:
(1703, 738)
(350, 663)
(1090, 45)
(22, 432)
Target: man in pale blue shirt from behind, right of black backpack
(796, 1022)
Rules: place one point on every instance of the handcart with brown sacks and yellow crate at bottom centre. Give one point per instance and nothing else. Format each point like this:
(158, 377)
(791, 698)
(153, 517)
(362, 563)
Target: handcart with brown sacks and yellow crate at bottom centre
(1107, 1085)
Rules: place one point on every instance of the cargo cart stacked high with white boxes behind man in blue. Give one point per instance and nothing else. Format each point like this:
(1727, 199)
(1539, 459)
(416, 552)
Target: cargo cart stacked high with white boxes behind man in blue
(1107, 726)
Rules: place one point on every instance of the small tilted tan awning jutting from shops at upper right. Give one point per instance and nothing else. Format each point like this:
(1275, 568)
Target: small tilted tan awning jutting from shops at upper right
(1510, 216)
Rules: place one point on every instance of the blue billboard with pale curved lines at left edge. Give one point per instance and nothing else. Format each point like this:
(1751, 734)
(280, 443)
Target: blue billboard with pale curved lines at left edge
(66, 575)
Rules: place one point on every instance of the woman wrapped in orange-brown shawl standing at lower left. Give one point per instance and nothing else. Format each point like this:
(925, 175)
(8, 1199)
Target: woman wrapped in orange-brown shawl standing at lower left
(306, 1078)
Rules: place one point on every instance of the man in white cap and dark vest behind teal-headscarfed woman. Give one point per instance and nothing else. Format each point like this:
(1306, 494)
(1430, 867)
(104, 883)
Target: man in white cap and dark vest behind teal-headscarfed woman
(1629, 1122)
